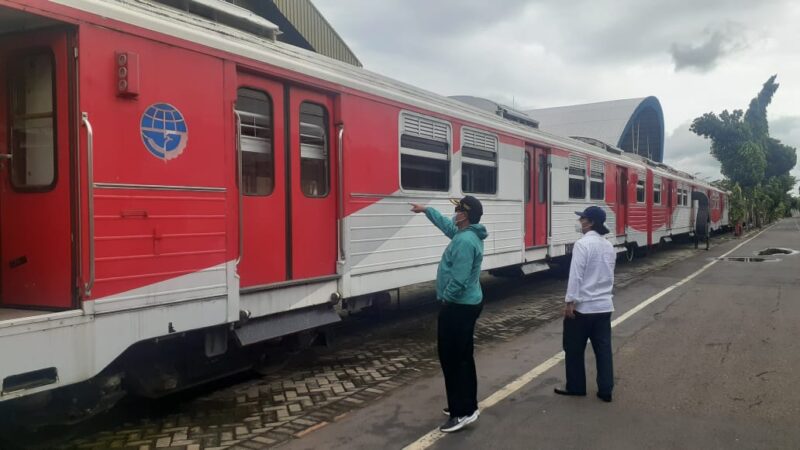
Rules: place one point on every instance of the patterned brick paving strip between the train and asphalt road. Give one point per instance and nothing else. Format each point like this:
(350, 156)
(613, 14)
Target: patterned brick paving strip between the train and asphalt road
(378, 359)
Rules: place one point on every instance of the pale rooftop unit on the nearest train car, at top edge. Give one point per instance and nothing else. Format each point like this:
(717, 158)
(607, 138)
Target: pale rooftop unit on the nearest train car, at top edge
(226, 13)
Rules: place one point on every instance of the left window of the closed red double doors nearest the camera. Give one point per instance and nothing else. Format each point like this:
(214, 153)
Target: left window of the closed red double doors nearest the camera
(254, 109)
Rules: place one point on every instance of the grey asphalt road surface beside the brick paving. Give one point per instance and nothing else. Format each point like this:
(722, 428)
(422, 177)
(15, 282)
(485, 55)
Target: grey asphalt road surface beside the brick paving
(711, 364)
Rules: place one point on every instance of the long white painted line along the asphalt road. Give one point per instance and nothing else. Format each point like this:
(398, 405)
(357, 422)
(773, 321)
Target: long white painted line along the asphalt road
(434, 435)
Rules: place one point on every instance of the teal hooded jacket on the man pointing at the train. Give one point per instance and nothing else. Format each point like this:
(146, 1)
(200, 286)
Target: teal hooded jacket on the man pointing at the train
(458, 277)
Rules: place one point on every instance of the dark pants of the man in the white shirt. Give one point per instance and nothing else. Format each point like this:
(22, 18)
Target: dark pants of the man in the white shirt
(596, 327)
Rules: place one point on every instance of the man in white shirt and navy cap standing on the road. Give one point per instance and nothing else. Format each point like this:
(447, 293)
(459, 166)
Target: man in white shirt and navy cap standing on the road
(589, 304)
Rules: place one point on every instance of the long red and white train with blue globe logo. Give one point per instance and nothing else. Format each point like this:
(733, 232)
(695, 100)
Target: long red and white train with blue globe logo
(176, 192)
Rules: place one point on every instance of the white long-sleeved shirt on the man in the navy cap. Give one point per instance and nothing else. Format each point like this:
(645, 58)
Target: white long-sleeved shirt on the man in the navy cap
(591, 275)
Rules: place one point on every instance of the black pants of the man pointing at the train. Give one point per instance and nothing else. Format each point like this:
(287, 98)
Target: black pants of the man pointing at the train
(456, 330)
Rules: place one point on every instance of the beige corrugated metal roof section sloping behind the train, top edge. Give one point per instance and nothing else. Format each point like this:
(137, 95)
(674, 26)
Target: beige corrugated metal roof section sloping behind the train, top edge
(310, 23)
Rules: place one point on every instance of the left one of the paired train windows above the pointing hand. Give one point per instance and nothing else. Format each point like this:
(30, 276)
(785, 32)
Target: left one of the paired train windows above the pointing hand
(424, 153)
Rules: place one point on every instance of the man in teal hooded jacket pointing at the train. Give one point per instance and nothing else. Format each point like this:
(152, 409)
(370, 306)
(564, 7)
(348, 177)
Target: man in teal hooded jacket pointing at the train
(458, 288)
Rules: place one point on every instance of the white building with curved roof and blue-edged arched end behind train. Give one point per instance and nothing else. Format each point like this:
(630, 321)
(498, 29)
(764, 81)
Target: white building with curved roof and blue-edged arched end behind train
(634, 125)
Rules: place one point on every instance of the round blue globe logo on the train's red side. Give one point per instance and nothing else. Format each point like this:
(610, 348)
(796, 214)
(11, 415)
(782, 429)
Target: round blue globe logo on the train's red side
(164, 131)
